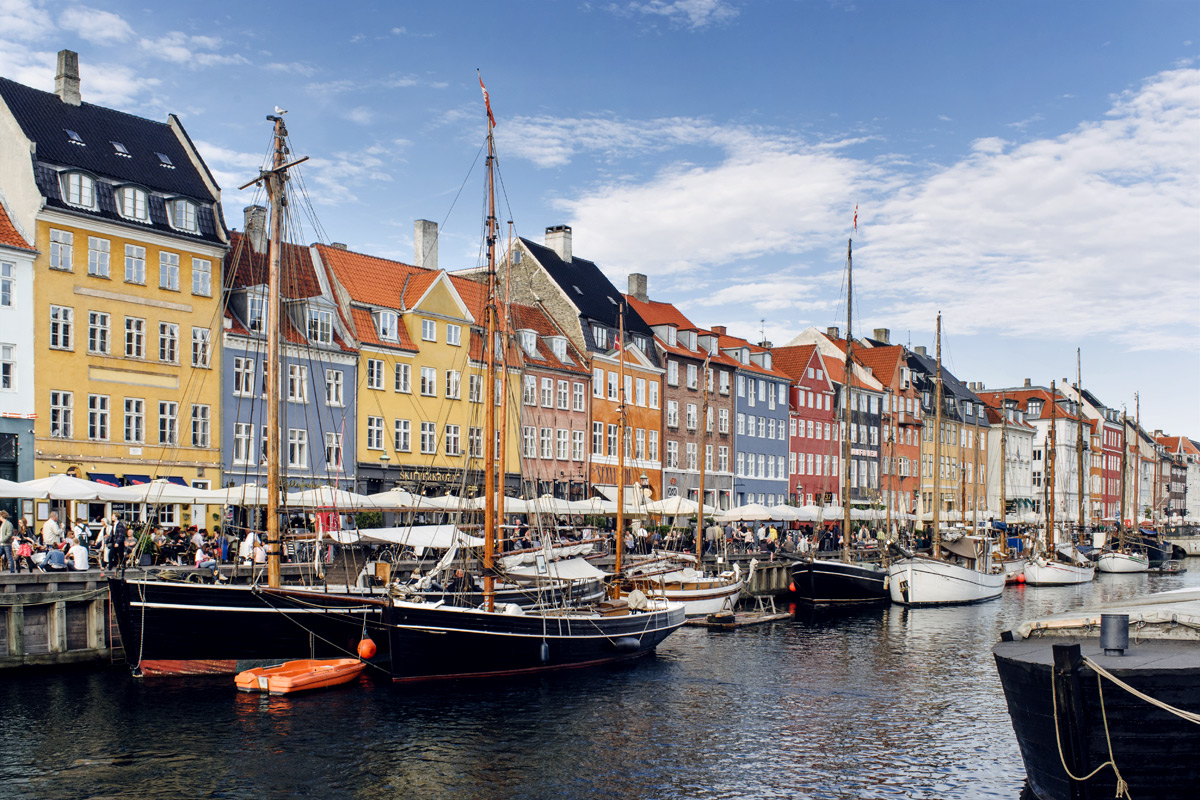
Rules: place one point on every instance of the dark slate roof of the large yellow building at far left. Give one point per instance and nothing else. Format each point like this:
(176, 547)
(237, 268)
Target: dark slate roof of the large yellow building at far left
(45, 119)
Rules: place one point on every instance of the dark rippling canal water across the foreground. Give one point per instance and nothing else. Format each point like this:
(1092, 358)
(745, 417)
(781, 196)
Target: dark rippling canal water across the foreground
(883, 703)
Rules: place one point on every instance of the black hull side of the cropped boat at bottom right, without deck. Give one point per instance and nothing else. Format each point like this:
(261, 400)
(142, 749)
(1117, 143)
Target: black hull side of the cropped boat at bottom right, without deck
(1157, 753)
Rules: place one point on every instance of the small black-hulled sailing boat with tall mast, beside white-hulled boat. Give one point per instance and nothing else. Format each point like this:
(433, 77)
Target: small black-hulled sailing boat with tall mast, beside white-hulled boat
(831, 581)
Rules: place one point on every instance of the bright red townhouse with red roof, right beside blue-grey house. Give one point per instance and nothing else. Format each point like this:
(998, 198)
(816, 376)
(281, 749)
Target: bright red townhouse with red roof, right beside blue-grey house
(812, 426)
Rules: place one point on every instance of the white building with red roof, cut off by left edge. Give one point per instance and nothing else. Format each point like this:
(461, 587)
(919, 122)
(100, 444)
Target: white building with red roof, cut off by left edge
(19, 407)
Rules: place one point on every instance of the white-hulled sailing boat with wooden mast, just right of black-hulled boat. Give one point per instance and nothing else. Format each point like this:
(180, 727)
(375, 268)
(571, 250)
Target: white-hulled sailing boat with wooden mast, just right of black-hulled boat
(964, 574)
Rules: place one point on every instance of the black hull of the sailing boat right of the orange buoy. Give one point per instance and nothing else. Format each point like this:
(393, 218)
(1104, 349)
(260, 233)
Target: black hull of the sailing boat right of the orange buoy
(431, 642)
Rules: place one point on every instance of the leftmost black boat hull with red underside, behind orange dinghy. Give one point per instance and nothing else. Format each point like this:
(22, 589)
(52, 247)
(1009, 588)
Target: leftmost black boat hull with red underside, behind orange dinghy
(188, 629)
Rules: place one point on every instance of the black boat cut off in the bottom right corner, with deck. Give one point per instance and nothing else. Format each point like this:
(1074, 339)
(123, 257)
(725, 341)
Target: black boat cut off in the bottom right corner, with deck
(1067, 715)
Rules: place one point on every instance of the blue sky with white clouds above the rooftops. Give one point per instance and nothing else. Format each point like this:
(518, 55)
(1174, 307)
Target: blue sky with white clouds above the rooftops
(1029, 170)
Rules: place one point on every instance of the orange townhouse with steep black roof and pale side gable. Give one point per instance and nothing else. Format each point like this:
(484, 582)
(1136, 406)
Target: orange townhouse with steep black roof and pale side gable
(627, 370)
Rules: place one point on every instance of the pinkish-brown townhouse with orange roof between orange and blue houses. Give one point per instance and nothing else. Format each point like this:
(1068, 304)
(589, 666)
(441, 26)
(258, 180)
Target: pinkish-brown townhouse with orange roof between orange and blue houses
(698, 398)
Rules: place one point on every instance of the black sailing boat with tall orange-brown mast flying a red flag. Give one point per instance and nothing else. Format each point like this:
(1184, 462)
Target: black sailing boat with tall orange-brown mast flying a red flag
(440, 641)
